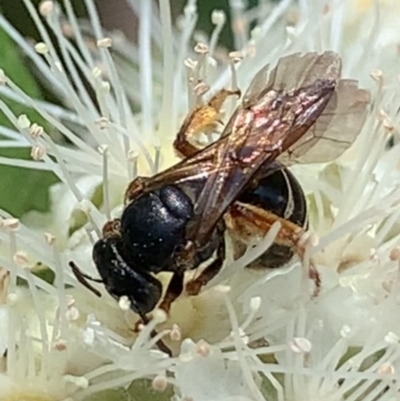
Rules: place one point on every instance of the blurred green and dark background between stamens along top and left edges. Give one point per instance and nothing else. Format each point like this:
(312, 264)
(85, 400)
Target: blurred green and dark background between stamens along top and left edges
(22, 190)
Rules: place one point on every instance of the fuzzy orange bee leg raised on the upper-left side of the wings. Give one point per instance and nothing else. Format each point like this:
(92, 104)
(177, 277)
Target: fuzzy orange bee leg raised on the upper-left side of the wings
(203, 118)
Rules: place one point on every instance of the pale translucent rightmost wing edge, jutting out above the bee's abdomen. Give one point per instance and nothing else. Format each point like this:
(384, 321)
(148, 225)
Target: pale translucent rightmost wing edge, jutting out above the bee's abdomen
(335, 129)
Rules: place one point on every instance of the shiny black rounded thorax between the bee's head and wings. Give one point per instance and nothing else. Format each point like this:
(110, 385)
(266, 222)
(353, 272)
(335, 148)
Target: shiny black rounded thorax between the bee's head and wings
(153, 230)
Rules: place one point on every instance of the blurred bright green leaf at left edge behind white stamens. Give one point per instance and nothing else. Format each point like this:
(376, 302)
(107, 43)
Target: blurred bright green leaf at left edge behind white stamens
(21, 189)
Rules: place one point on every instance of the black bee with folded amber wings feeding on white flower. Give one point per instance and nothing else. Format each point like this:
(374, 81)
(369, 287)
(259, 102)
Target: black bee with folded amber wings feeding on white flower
(175, 221)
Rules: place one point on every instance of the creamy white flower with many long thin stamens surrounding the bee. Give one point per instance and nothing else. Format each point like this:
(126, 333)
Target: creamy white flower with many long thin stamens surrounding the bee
(249, 335)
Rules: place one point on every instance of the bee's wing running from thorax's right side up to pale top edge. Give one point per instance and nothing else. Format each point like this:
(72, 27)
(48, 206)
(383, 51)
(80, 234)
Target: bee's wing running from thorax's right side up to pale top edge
(291, 73)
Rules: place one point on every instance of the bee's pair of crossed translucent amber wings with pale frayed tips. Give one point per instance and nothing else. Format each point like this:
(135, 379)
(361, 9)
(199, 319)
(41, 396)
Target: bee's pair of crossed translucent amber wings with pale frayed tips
(258, 133)
